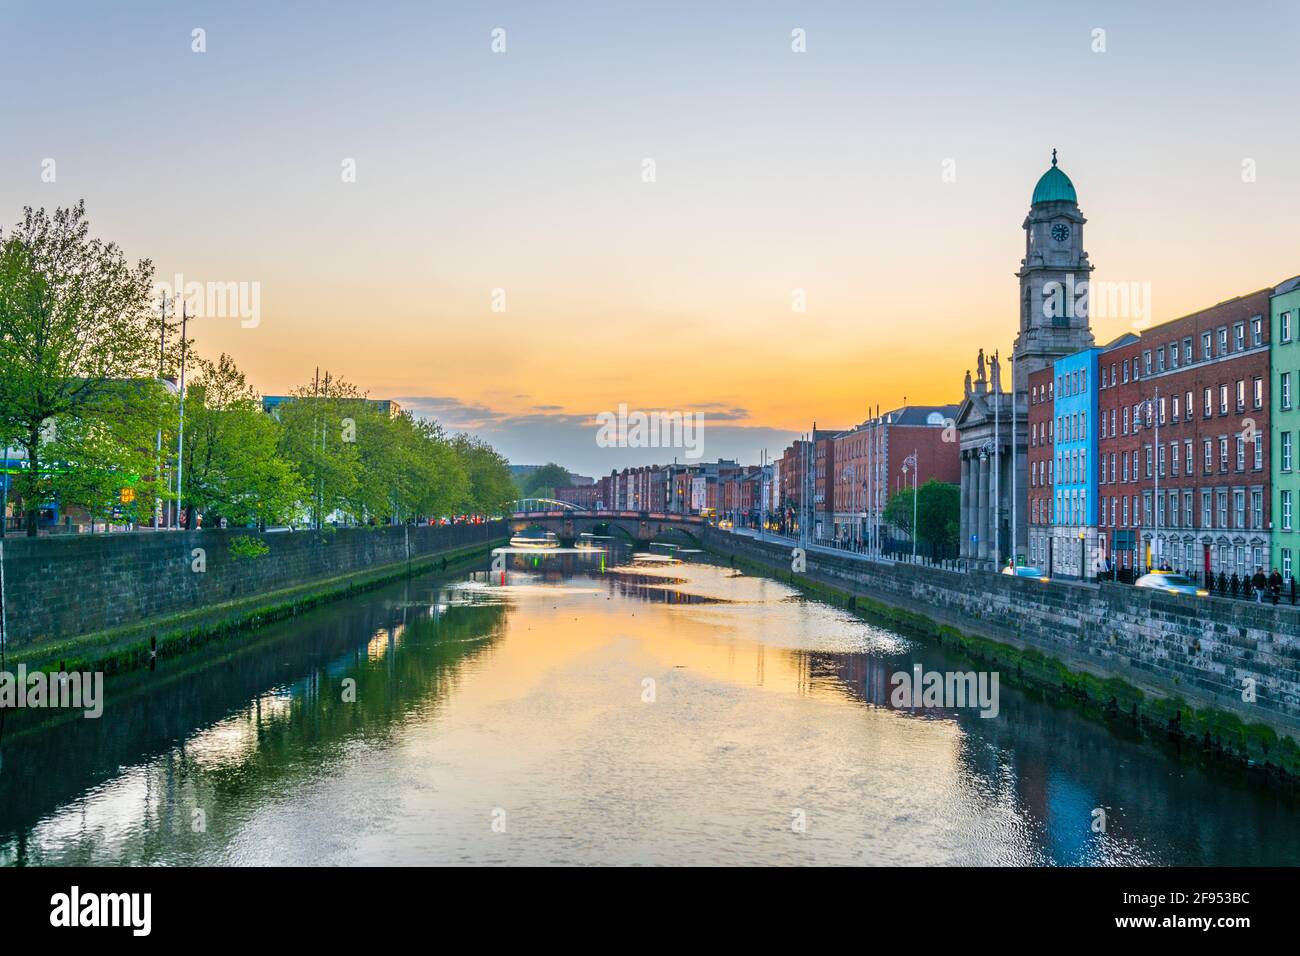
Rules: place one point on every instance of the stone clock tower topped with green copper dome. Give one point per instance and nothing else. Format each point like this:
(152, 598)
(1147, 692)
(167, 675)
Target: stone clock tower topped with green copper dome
(1055, 278)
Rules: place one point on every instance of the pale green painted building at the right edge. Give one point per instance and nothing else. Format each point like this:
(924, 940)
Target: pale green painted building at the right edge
(1285, 422)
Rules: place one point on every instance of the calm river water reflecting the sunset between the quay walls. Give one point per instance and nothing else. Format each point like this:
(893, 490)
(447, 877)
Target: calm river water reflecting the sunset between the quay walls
(599, 708)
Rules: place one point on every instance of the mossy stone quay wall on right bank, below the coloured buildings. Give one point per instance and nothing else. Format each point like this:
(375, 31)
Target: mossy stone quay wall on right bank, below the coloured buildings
(1204, 651)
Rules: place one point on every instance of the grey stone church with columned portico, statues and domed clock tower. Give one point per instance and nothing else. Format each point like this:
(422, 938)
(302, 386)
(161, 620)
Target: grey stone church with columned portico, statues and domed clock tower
(993, 422)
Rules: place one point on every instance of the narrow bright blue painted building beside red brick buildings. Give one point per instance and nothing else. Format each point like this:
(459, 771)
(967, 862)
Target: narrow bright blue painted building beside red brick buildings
(1074, 513)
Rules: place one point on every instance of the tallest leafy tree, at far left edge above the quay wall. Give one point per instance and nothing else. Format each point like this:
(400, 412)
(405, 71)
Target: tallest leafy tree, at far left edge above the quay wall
(75, 325)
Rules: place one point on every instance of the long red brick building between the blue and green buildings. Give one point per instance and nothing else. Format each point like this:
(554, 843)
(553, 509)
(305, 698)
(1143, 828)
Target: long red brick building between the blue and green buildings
(1197, 499)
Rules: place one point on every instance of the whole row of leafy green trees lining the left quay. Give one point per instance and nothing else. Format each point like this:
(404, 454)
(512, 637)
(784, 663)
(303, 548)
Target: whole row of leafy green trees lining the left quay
(81, 395)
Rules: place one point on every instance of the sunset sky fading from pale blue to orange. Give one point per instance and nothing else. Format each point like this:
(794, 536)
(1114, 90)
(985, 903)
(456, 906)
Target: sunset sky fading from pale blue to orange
(774, 171)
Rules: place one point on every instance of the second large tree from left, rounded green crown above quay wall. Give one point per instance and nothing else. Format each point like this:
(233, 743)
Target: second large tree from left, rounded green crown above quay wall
(232, 464)
